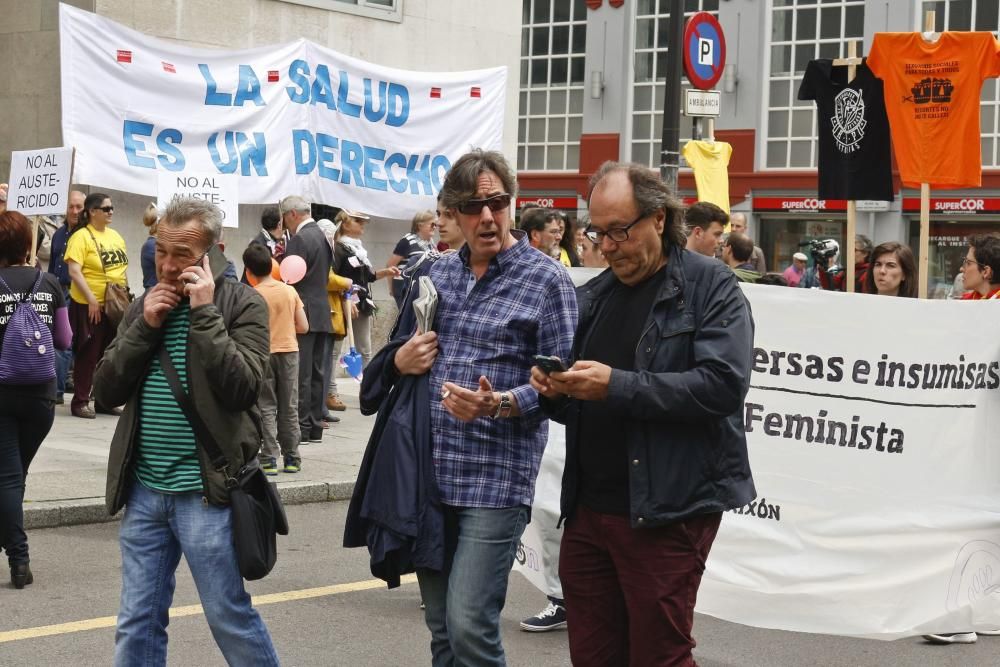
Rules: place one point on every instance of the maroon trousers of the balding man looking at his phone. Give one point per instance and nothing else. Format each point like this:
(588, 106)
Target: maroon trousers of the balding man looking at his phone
(630, 593)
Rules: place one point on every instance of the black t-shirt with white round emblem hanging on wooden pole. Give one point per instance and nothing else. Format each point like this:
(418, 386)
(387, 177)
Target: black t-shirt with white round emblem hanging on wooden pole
(854, 158)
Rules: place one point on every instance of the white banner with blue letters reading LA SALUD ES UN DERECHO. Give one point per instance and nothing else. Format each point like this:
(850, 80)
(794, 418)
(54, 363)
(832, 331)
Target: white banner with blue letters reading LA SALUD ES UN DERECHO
(289, 119)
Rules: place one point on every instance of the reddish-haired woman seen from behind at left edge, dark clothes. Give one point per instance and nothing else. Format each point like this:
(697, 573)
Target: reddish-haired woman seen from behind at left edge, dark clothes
(26, 405)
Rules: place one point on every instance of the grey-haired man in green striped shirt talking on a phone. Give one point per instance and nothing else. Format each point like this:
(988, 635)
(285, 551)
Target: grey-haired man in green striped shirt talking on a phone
(215, 332)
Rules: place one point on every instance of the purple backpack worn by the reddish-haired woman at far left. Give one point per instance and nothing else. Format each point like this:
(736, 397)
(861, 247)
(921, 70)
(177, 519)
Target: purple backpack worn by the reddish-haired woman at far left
(27, 356)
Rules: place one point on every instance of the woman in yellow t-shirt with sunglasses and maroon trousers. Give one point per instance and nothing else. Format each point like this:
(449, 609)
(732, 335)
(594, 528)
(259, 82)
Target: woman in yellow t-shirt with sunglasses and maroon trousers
(95, 255)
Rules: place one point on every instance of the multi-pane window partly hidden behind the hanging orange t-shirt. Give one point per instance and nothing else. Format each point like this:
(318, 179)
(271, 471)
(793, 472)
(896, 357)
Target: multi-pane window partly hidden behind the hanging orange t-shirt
(975, 15)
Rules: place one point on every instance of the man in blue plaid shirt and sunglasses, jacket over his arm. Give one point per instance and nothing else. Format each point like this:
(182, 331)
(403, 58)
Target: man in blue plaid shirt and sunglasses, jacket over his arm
(500, 303)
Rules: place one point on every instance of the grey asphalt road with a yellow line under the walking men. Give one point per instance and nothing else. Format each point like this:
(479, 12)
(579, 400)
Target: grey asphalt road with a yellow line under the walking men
(322, 609)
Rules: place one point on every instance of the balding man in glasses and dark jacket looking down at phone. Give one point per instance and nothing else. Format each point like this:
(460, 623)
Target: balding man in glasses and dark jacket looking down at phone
(655, 448)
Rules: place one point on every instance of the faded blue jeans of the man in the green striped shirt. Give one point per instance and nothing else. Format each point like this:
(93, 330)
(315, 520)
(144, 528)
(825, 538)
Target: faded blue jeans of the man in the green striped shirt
(156, 529)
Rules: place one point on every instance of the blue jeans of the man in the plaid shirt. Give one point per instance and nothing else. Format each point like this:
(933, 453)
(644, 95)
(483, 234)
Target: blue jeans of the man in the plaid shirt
(463, 602)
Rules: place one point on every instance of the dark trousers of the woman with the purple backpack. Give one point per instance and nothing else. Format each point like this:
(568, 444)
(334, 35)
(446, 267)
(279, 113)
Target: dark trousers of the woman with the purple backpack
(24, 423)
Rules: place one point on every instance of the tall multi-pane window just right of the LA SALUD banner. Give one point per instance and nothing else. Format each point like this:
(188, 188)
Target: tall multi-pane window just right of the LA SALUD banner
(550, 104)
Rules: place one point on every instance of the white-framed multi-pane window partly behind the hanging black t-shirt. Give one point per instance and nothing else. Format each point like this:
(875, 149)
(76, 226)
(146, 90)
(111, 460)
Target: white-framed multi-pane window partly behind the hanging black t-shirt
(800, 31)
